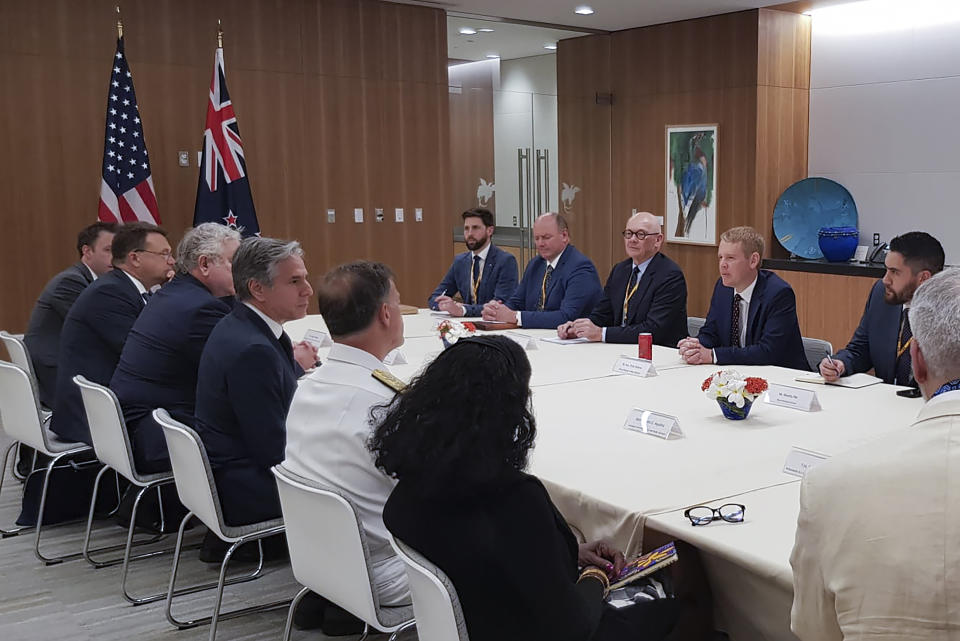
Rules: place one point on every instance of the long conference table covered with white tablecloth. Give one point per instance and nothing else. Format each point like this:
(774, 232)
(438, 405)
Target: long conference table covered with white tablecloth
(610, 482)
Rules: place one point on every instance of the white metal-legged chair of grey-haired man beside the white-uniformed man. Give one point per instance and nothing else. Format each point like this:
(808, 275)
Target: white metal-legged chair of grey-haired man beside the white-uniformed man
(198, 493)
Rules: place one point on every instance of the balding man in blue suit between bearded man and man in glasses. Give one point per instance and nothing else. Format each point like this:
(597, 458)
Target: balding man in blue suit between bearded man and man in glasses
(559, 285)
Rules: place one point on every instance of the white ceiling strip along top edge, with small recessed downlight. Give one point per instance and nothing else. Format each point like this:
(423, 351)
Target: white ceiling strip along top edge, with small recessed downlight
(610, 15)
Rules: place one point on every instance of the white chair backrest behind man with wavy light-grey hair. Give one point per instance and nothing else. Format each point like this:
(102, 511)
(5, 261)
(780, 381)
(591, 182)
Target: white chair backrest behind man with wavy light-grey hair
(108, 431)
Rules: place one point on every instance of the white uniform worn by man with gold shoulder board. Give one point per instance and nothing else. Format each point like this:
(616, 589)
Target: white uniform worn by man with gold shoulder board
(327, 430)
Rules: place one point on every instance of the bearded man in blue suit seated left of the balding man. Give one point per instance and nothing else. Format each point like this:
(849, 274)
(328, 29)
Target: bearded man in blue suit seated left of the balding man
(482, 274)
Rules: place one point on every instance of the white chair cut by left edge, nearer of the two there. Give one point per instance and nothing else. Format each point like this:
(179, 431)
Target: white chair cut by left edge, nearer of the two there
(23, 420)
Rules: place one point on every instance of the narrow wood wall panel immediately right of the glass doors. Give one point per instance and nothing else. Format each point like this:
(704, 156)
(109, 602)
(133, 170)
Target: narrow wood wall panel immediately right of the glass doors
(584, 143)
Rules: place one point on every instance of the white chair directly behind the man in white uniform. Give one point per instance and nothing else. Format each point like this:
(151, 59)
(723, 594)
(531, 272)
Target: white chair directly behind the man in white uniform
(330, 556)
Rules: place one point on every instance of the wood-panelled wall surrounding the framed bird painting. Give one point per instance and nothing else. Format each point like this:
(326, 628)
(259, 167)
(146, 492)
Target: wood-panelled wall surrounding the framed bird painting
(748, 72)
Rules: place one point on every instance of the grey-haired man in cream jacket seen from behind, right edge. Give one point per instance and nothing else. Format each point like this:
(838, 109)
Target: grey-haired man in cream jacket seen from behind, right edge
(879, 527)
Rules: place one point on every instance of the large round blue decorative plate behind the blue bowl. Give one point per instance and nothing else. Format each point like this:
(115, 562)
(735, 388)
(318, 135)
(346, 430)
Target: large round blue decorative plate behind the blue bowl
(805, 207)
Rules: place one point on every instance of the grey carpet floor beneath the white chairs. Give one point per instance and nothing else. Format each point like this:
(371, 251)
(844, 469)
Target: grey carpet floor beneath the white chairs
(74, 601)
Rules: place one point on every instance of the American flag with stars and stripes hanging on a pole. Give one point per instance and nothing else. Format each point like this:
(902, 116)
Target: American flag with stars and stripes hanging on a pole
(126, 191)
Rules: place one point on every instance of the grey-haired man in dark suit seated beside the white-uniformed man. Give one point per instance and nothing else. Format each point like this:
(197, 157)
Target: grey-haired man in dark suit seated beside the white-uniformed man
(248, 374)
